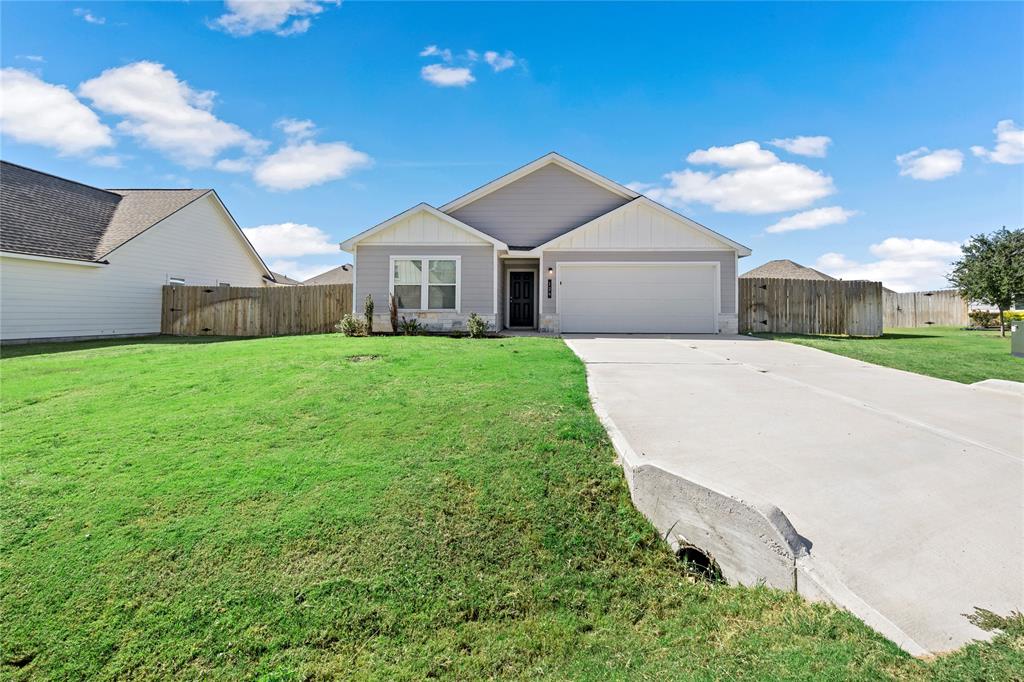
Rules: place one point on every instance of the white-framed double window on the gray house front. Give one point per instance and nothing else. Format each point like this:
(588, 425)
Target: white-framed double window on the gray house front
(426, 284)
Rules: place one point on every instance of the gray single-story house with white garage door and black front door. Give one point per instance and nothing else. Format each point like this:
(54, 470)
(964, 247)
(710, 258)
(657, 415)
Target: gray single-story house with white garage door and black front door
(556, 247)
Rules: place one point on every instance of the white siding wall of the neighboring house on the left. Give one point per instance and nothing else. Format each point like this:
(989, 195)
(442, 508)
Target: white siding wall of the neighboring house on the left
(52, 301)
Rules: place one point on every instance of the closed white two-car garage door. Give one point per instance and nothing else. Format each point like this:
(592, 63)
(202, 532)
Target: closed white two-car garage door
(680, 299)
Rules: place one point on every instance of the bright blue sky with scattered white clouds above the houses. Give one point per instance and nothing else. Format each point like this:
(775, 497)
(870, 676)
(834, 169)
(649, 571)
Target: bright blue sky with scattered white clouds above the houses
(319, 121)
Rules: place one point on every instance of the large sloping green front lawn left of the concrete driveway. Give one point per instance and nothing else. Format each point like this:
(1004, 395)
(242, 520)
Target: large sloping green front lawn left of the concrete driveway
(388, 508)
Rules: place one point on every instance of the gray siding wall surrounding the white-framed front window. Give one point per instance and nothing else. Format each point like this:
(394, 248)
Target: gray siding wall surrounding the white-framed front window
(373, 273)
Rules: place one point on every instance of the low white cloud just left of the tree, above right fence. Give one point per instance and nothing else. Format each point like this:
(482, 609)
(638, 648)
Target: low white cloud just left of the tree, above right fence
(906, 265)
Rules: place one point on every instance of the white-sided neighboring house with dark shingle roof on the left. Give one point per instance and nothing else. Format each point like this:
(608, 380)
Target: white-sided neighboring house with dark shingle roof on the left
(77, 262)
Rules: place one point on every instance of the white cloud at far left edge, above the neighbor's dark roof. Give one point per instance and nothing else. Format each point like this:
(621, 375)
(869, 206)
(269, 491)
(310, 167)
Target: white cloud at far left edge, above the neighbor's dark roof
(39, 113)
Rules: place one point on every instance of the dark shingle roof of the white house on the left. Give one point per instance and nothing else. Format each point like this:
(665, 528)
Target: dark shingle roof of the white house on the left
(47, 216)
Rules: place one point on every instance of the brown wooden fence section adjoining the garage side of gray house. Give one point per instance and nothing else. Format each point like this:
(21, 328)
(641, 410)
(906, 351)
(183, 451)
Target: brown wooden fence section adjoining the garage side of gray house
(810, 307)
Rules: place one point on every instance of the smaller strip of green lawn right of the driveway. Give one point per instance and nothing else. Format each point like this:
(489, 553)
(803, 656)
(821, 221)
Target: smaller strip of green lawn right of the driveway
(947, 353)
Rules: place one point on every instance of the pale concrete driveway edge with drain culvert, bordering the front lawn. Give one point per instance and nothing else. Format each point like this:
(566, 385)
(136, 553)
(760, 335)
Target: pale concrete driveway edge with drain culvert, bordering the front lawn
(813, 578)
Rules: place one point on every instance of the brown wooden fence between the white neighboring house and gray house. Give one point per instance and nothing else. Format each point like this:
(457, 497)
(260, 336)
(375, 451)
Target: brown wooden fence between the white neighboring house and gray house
(253, 311)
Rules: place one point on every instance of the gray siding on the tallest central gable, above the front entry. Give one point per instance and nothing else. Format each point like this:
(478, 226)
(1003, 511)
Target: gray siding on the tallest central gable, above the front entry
(538, 208)
